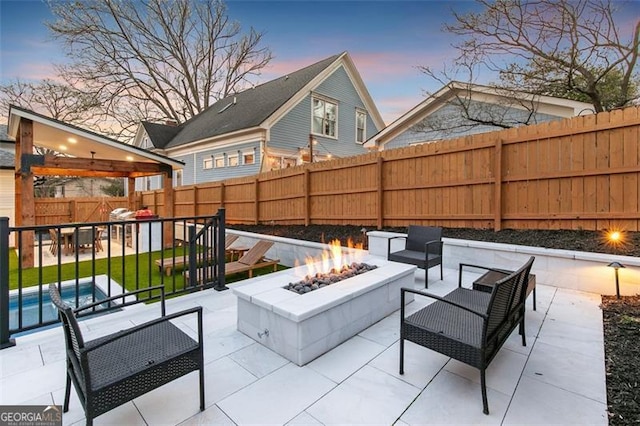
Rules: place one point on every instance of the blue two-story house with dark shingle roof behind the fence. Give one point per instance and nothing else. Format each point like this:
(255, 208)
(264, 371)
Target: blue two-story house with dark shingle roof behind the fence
(318, 112)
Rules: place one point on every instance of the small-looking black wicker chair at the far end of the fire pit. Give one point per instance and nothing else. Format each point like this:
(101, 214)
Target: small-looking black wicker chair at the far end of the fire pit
(423, 248)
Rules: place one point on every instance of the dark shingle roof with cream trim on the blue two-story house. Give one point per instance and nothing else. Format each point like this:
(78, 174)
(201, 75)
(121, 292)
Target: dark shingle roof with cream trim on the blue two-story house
(253, 108)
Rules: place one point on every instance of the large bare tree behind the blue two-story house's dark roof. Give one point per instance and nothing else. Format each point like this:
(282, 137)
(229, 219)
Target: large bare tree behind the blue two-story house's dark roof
(156, 59)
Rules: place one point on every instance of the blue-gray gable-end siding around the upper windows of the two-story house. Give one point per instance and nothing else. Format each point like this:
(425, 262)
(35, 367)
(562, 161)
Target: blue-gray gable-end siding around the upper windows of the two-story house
(292, 131)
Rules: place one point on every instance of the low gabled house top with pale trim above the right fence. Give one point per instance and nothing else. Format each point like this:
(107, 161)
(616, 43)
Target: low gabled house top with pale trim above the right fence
(460, 109)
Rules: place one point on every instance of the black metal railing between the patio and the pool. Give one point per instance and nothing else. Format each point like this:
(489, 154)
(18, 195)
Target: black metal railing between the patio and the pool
(92, 261)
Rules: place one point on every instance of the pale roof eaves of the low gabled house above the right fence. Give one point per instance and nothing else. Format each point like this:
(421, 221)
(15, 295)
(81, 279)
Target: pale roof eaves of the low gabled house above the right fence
(559, 107)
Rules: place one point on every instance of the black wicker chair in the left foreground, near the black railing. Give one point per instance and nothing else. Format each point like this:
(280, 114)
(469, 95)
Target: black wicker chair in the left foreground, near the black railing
(112, 370)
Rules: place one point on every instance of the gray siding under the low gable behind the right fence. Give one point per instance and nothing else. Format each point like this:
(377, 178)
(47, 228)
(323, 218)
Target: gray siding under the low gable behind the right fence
(451, 117)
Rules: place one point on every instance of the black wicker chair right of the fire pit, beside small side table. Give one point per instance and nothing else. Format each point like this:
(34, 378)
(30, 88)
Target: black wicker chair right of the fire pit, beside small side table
(468, 325)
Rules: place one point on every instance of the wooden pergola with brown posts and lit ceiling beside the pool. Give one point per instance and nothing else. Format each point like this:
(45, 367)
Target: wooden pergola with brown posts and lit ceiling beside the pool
(86, 154)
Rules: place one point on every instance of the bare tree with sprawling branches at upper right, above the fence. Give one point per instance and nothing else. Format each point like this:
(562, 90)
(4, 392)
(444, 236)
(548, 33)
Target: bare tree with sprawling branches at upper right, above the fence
(578, 49)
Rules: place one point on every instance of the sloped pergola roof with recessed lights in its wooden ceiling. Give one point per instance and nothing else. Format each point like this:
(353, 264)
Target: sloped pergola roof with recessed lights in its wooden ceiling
(76, 142)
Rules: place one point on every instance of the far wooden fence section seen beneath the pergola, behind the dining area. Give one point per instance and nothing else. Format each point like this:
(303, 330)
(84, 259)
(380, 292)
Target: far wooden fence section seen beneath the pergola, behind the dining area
(53, 211)
